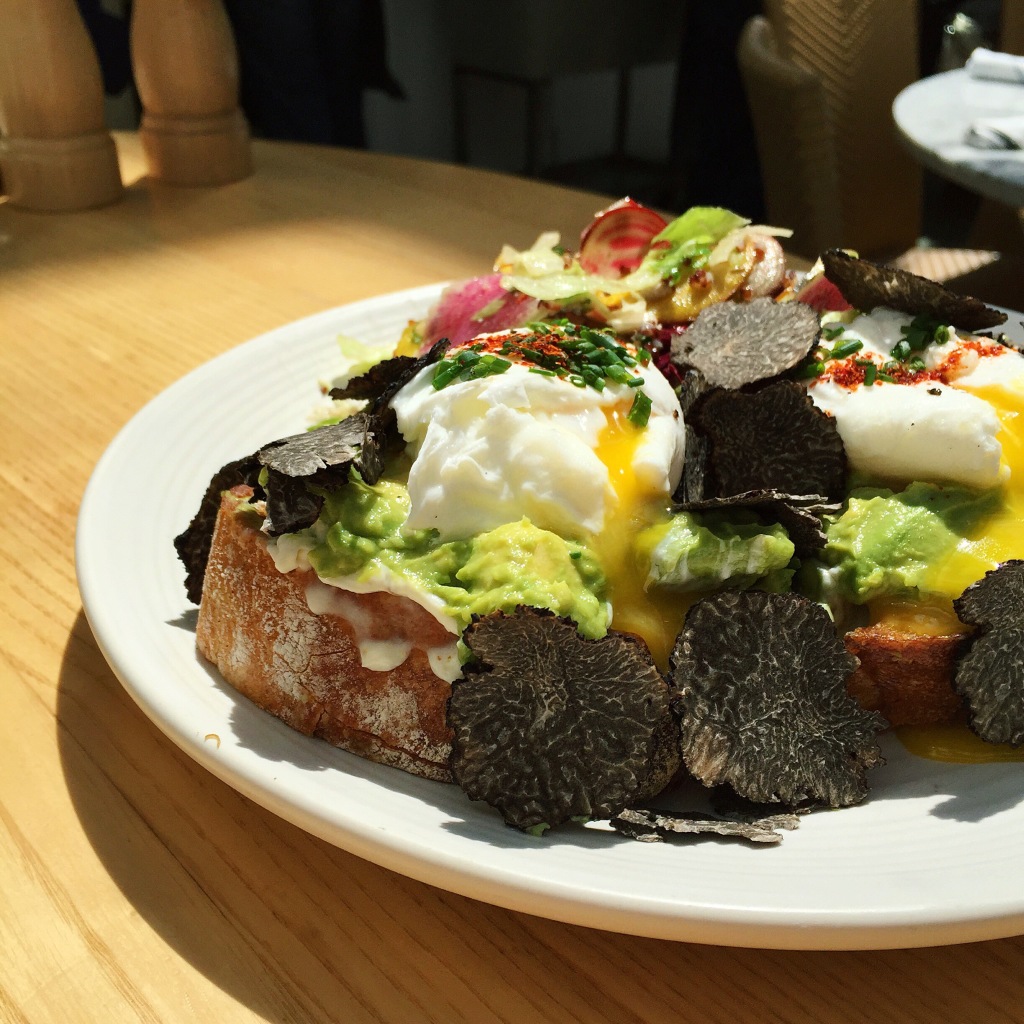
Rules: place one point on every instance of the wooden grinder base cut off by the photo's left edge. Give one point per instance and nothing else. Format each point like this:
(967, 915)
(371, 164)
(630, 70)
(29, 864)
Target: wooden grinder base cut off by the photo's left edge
(56, 154)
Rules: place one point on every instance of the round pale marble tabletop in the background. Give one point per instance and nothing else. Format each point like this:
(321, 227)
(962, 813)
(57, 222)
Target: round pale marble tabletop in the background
(934, 115)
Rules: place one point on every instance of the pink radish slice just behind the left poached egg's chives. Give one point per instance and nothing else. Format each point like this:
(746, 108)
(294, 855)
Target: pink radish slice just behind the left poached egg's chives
(481, 306)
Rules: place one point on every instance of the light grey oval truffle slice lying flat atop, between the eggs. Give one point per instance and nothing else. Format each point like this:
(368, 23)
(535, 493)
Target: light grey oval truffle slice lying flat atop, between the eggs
(739, 344)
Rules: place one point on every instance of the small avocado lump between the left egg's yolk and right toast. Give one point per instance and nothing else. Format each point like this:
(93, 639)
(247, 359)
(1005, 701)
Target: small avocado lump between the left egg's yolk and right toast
(702, 553)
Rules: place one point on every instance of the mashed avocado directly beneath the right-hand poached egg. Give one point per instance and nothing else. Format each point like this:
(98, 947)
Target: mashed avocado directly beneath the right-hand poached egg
(887, 544)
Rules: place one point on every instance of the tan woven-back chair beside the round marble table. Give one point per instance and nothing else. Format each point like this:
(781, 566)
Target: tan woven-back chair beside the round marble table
(821, 78)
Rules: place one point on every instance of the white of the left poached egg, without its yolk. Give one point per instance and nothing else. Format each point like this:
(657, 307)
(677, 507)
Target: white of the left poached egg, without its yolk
(491, 451)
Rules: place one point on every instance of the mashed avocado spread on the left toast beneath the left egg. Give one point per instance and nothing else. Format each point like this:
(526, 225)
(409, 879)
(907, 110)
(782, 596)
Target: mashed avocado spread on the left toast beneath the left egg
(361, 534)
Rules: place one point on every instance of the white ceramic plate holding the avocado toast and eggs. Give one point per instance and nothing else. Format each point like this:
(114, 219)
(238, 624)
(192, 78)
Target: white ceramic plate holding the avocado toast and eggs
(933, 858)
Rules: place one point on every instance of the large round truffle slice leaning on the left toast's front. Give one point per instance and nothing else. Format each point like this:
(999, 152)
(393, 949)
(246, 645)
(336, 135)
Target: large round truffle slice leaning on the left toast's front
(549, 726)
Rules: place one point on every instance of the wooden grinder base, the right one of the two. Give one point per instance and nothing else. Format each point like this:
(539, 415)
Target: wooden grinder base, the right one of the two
(187, 73)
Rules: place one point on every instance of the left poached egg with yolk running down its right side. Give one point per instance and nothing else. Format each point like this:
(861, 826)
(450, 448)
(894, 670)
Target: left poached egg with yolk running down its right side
(493, 450)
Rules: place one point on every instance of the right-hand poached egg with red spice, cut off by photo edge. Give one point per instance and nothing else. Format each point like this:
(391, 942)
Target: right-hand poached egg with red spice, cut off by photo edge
(958, 419)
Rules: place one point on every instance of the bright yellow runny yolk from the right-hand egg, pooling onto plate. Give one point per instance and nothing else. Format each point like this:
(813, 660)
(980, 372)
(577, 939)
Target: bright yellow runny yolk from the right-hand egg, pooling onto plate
(999, 538)
